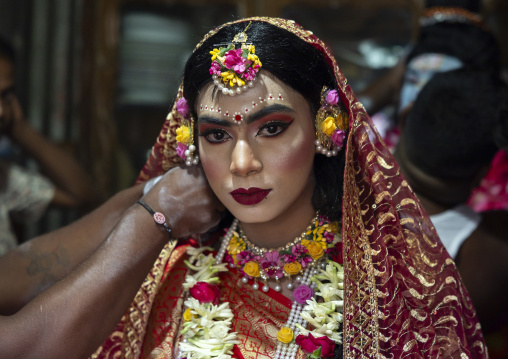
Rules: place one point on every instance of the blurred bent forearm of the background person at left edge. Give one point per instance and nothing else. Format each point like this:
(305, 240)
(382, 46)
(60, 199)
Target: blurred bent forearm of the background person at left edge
(61, 167)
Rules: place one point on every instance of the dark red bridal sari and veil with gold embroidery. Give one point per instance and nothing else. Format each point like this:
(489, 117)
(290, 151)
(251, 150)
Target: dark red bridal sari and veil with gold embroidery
(403, 295)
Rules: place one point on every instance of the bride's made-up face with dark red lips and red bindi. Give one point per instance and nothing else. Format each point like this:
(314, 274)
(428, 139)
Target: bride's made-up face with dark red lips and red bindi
(257, 150)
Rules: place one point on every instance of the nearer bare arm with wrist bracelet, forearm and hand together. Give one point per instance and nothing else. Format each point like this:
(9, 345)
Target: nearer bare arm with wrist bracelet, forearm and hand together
(74, 316)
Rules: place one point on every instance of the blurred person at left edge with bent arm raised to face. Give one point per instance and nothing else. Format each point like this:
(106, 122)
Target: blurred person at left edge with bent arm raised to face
(25, 194)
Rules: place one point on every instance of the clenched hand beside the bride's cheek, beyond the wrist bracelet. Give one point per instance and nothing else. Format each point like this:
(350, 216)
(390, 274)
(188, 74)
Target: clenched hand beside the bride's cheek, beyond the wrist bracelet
(185, 198)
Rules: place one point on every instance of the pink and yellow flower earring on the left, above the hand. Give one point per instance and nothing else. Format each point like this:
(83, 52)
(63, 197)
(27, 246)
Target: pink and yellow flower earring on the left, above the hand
(185, 135)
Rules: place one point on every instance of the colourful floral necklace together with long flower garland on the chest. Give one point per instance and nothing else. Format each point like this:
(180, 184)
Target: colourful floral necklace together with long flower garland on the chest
(318, 297)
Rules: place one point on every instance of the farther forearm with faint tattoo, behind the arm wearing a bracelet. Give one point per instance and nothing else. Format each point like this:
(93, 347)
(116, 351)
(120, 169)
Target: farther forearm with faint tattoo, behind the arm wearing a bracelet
(39, 263)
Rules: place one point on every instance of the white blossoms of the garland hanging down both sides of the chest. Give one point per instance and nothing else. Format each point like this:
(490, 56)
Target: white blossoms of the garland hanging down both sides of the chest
(207, 327)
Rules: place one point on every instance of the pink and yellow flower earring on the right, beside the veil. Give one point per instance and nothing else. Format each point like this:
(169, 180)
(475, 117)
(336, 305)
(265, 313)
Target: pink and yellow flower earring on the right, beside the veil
(331, 124)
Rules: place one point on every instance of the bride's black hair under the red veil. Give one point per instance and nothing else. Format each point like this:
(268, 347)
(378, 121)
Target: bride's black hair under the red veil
(298, 65)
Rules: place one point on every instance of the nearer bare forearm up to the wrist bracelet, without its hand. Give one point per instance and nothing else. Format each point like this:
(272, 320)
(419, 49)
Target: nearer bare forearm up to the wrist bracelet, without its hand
(107, 285)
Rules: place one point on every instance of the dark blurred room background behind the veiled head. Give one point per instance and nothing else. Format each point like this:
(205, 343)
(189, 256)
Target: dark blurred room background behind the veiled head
(97, 77)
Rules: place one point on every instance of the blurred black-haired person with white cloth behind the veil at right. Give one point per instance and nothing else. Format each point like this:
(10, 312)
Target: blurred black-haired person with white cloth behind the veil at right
(446, 145)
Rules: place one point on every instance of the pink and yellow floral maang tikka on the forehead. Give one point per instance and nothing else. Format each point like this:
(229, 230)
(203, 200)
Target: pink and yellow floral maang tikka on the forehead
(235, 70)
